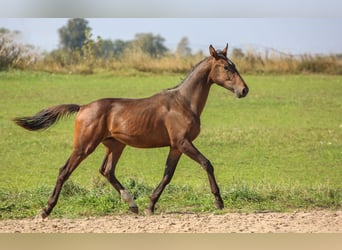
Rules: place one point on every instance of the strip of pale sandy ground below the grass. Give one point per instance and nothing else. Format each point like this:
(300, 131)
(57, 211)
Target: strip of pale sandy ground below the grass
(297, 222)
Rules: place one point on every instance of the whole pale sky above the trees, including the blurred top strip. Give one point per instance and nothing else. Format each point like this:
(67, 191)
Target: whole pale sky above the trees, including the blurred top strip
(289, 26)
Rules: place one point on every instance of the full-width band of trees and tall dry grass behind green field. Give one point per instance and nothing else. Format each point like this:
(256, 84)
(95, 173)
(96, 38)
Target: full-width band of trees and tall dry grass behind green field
(80, 52)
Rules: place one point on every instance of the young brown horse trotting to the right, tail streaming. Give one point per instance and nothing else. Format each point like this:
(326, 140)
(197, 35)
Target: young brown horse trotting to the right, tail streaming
(170, 118)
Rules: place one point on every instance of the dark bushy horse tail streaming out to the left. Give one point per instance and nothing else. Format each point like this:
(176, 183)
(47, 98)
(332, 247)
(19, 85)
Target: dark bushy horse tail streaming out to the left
(46, 117)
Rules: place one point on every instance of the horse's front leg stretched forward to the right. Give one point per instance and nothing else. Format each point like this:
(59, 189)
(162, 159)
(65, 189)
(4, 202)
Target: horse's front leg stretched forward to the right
(186, 147)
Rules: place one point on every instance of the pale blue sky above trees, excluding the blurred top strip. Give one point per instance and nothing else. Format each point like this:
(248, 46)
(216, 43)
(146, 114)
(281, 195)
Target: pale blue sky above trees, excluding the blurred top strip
(288, 35)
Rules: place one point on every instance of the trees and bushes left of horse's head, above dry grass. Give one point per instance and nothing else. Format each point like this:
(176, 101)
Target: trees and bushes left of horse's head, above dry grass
(76, 41)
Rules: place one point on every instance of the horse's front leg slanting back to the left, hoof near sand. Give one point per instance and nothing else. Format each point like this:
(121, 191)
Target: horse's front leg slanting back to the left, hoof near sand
(170, 168)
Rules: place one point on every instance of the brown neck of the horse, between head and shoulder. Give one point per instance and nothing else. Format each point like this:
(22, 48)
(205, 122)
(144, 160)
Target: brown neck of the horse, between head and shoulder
(195, 88)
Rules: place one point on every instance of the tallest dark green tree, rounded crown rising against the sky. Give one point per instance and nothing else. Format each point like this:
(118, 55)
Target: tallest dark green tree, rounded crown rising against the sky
(73, 35)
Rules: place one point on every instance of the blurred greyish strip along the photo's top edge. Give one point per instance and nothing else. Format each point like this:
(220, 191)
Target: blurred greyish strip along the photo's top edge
(167, 8)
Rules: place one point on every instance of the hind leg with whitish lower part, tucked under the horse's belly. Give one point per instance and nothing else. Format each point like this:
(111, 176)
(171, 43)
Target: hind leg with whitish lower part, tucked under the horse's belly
(107, 169)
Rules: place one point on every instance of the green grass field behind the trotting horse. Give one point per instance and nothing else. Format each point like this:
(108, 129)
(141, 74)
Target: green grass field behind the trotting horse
(279, 149)
